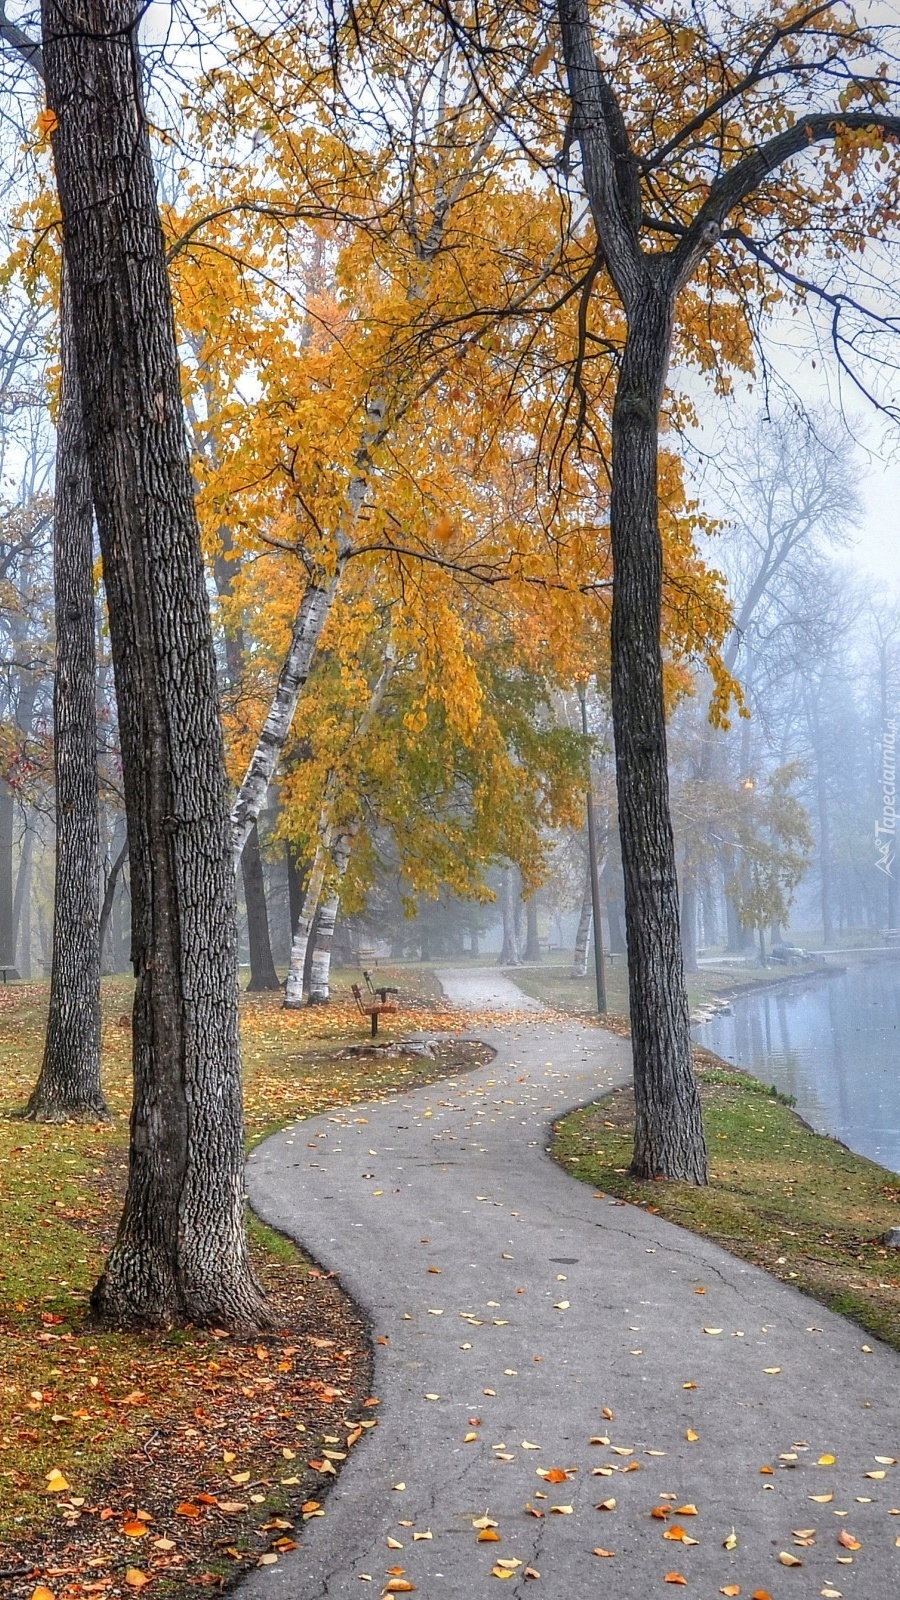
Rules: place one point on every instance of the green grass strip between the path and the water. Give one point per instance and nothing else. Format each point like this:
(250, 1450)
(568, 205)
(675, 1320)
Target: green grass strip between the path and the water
(784, 1198)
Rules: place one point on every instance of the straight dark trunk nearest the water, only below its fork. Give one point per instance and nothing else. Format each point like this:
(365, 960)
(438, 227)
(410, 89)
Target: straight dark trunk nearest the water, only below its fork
(669, 1134)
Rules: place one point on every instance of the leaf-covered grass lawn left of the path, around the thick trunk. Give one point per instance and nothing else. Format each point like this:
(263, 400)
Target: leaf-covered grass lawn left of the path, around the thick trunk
(174, 1426)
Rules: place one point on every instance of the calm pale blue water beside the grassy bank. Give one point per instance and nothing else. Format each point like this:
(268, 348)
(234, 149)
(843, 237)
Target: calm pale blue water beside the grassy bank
(834, 1042)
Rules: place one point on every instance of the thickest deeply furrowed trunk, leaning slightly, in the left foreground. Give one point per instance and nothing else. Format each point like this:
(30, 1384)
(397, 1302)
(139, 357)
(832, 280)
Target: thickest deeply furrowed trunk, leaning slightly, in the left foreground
(182, 1246)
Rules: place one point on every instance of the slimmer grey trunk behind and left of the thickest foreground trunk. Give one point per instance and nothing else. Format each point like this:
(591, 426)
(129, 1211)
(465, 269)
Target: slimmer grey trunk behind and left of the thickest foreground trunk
(70, 1086)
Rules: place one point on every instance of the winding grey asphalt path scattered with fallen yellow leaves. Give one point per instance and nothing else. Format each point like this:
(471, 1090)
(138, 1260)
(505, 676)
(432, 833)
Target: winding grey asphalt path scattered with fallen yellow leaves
(520, 1308)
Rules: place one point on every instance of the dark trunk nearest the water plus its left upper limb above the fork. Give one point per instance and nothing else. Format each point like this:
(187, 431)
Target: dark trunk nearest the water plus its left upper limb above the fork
(669, 1132)
